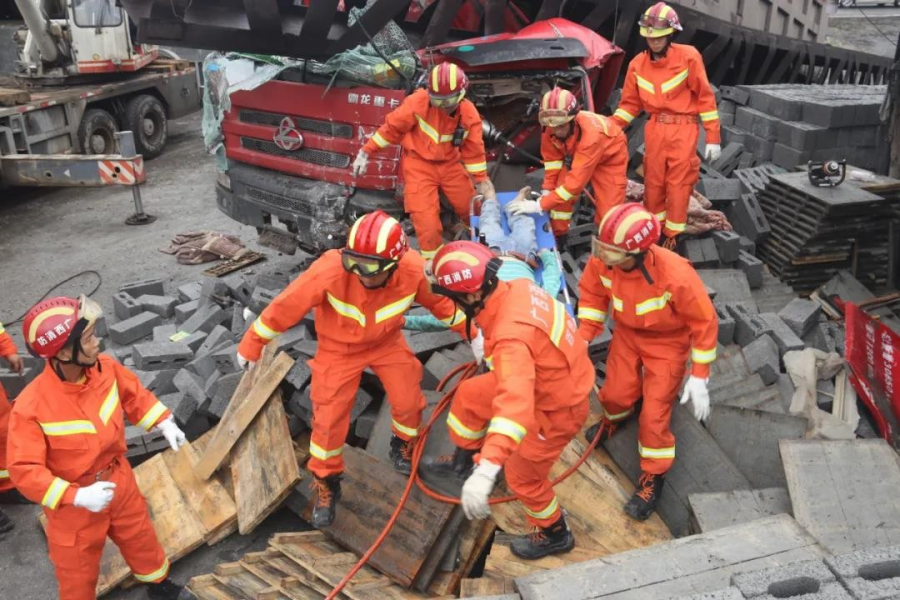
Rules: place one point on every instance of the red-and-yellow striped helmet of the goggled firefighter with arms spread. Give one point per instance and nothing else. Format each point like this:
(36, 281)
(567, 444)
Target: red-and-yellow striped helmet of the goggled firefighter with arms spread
(376, 242)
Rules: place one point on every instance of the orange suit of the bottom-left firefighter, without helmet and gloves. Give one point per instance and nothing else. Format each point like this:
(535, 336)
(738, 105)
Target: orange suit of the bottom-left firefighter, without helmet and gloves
(64, 436)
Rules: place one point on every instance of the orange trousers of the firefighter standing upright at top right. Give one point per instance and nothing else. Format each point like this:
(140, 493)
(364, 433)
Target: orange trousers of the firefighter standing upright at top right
(671, 169)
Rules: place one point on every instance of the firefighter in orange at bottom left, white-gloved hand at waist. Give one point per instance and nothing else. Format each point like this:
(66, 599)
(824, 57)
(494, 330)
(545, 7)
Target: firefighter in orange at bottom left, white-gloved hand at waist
(67, 451)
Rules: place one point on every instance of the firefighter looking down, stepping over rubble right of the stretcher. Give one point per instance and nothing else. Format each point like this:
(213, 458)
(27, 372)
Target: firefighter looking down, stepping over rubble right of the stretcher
(663, 317)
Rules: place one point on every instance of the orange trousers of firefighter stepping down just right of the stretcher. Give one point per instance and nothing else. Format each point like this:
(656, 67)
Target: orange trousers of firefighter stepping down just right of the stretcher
(650, 366)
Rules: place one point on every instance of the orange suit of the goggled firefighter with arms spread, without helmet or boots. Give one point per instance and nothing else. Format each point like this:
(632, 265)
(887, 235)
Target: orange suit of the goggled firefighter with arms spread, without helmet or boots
(356, 328)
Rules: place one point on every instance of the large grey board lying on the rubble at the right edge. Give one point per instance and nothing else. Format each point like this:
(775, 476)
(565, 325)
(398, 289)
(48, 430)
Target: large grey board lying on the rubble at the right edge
(845, 492)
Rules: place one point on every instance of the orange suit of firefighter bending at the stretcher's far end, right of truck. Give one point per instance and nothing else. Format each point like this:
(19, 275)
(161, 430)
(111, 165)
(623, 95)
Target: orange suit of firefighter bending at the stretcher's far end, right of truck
(598, 153)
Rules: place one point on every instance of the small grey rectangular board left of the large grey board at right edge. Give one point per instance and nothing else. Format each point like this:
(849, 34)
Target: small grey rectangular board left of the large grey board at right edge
(724, 509)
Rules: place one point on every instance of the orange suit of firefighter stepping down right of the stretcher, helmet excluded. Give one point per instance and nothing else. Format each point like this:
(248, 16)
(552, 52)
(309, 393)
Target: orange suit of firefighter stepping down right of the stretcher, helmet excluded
(658, 327)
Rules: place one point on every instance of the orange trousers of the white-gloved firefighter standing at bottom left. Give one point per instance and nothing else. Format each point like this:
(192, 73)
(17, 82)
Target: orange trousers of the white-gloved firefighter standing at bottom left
(76, 538)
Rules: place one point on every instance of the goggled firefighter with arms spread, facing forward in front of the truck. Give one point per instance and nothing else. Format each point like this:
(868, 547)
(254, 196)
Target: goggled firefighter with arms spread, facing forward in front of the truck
(360, 294)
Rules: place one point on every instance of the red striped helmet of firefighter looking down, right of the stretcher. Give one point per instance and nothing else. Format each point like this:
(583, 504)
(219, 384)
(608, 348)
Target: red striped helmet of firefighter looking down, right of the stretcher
(626, 230)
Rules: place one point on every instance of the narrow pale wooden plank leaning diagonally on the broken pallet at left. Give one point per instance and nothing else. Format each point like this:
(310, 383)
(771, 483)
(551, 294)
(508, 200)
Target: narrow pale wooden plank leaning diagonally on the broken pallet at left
(234, 422)
